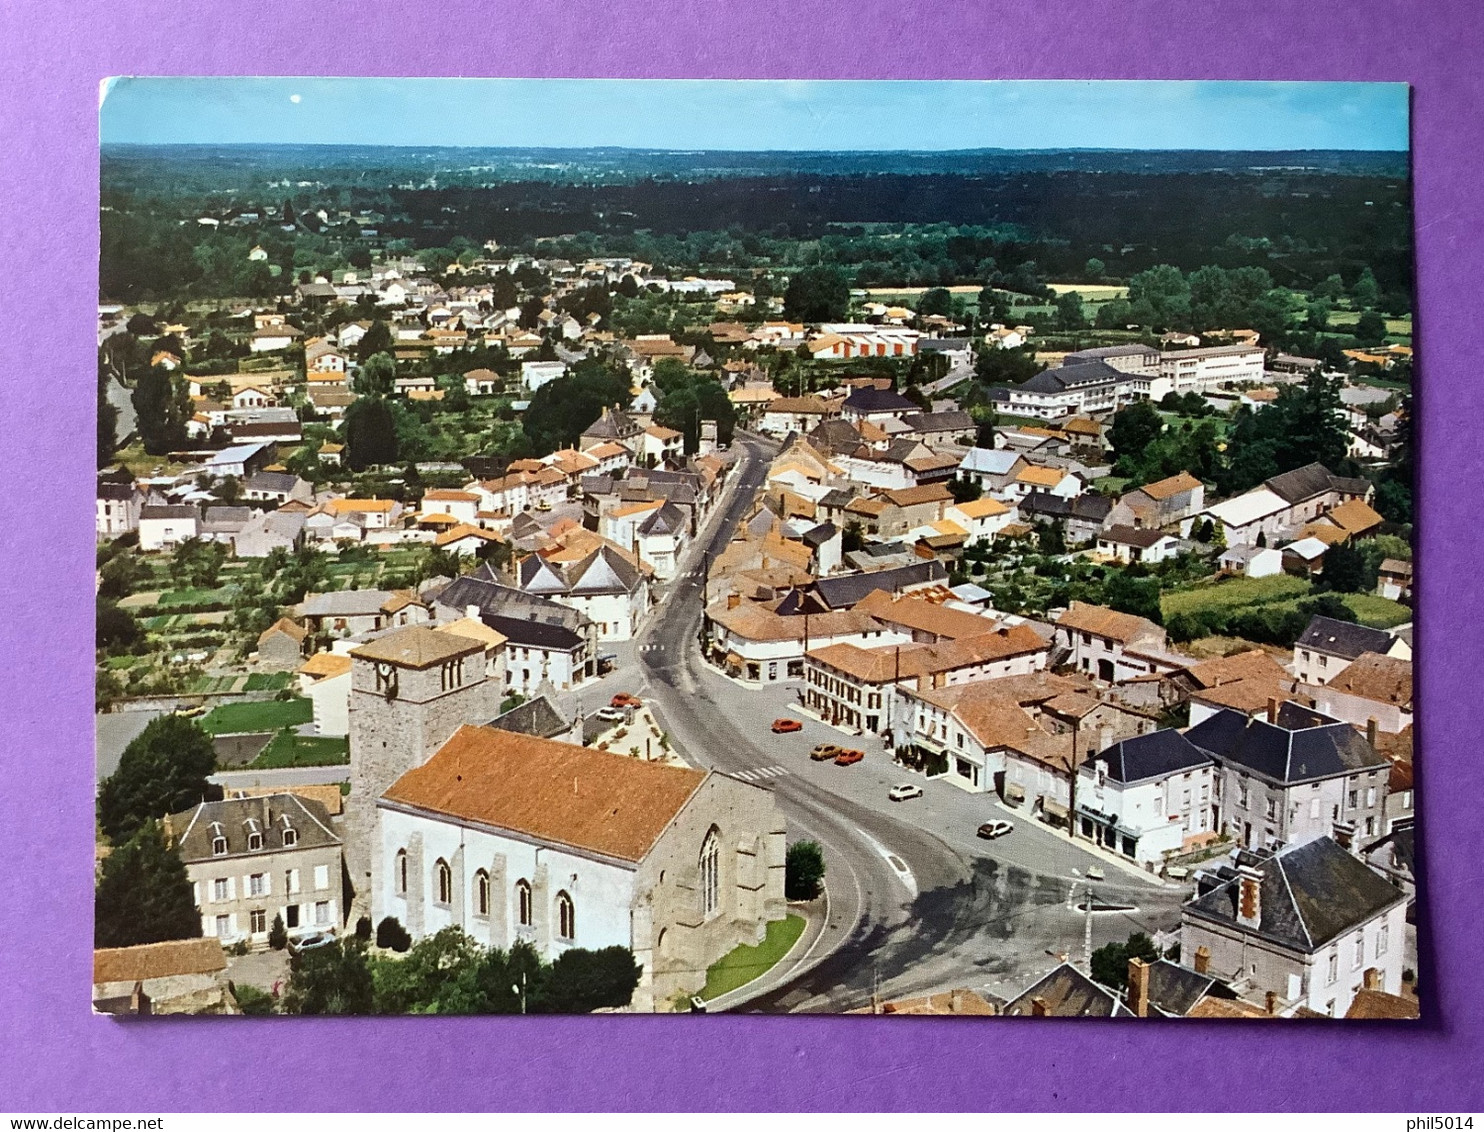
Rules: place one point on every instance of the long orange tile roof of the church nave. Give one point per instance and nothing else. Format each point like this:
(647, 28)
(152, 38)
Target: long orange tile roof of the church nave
(560, 793)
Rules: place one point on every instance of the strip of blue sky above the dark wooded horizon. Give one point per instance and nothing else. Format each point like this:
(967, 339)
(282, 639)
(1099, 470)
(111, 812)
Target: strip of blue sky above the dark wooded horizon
(786, 115)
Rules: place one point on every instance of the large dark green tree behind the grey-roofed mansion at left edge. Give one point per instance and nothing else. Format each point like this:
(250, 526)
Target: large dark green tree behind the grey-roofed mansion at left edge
(162, 771)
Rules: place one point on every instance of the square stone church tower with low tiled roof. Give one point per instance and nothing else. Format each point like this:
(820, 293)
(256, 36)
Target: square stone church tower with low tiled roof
(410, 692)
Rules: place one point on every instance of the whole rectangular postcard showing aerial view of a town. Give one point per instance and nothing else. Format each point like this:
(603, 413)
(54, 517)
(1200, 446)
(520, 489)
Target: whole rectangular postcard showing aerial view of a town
(882, 548)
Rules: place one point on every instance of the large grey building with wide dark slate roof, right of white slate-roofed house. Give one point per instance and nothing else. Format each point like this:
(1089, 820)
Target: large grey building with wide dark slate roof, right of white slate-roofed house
(1293, 777)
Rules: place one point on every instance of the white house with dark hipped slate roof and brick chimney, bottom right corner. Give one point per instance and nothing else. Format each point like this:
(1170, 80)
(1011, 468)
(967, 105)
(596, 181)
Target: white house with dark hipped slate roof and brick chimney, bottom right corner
(1311, 925)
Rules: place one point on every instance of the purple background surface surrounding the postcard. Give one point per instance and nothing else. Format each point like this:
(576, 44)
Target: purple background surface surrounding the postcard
(56, 1056)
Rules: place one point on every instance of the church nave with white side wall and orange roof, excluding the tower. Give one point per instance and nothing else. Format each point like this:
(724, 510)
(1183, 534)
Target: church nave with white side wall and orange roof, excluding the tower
(520, 839)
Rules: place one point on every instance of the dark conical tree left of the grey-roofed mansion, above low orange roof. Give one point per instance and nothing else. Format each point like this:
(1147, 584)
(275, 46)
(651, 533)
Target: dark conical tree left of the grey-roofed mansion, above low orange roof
(145, 895)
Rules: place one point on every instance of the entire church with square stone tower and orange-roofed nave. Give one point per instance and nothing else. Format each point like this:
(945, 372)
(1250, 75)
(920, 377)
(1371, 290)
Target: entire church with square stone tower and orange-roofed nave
(514, 838)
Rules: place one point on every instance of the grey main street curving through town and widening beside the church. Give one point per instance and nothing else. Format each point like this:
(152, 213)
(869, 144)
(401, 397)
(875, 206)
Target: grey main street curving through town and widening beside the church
(916, 903)
